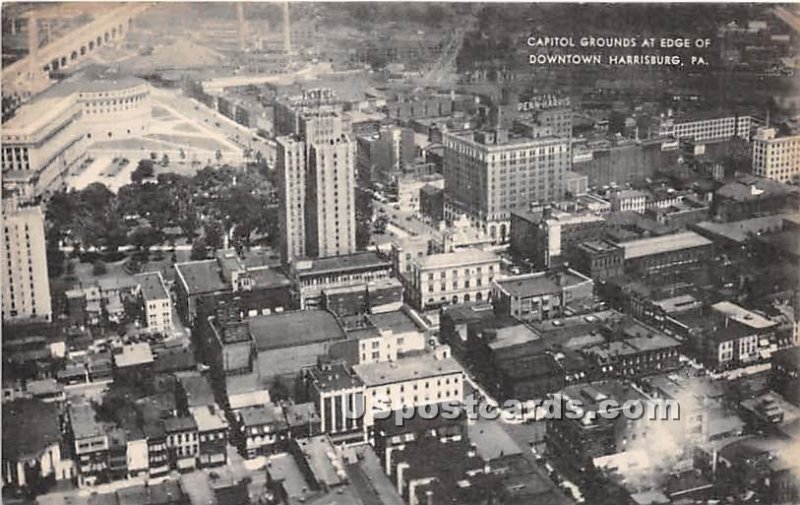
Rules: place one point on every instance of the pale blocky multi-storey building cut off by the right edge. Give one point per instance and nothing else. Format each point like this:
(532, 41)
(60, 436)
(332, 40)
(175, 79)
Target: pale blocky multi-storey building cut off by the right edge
(776, 158)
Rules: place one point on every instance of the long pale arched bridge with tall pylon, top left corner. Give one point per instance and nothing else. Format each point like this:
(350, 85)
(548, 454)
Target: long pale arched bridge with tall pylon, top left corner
(31, 74)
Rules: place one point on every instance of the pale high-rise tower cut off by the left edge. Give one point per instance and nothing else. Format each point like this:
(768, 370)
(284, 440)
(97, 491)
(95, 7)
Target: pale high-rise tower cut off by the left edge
(26, 287)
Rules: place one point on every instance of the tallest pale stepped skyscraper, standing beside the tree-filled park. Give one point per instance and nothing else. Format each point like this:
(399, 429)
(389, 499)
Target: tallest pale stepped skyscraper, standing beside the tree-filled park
(316, 159)
